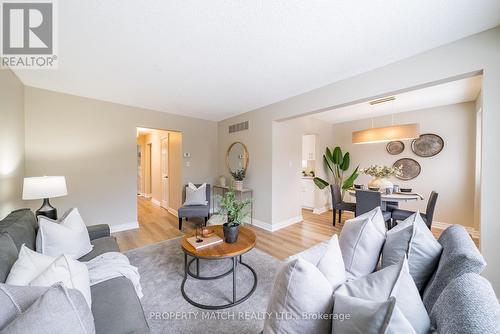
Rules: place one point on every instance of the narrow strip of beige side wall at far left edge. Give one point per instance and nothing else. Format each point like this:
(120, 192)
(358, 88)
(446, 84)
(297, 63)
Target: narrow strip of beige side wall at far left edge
(11, 142)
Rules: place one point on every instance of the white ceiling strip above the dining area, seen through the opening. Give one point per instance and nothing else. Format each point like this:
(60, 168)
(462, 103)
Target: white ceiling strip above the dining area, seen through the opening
(458, 91)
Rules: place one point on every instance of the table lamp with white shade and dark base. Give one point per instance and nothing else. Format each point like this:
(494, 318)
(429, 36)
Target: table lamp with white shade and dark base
(44, 187)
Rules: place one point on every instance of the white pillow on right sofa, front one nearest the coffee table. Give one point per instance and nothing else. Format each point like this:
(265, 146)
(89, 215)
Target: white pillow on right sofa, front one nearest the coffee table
(301, 294)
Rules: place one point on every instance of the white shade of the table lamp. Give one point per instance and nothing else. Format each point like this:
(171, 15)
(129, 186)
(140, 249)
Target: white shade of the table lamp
(44, 187)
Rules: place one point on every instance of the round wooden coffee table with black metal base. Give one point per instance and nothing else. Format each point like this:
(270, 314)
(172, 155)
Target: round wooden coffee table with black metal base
(246, 242)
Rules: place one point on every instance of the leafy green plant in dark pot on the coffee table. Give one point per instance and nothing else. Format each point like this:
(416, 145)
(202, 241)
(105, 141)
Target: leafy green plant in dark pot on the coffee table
(235, 211)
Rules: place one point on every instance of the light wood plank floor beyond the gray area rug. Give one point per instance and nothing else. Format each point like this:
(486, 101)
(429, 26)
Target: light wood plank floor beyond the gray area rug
(157, 224)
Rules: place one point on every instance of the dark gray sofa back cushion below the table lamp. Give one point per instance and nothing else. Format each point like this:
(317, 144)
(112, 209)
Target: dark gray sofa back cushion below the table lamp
(21, 225)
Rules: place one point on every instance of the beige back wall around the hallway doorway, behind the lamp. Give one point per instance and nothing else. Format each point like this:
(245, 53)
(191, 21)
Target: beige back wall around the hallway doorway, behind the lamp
(93, 143)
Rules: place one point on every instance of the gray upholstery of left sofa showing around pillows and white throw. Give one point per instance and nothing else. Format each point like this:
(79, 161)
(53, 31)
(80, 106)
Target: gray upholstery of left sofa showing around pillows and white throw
(115, 305)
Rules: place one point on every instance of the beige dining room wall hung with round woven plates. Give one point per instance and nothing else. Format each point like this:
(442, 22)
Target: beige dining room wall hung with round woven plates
(450, 173)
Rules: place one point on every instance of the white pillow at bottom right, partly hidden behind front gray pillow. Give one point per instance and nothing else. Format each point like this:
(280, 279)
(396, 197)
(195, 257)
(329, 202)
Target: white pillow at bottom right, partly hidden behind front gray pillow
(393, 281)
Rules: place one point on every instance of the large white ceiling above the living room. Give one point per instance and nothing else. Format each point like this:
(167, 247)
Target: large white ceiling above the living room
(214, 59)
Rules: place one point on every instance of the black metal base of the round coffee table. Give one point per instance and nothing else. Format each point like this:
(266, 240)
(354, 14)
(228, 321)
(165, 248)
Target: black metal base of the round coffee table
(187, 271)
